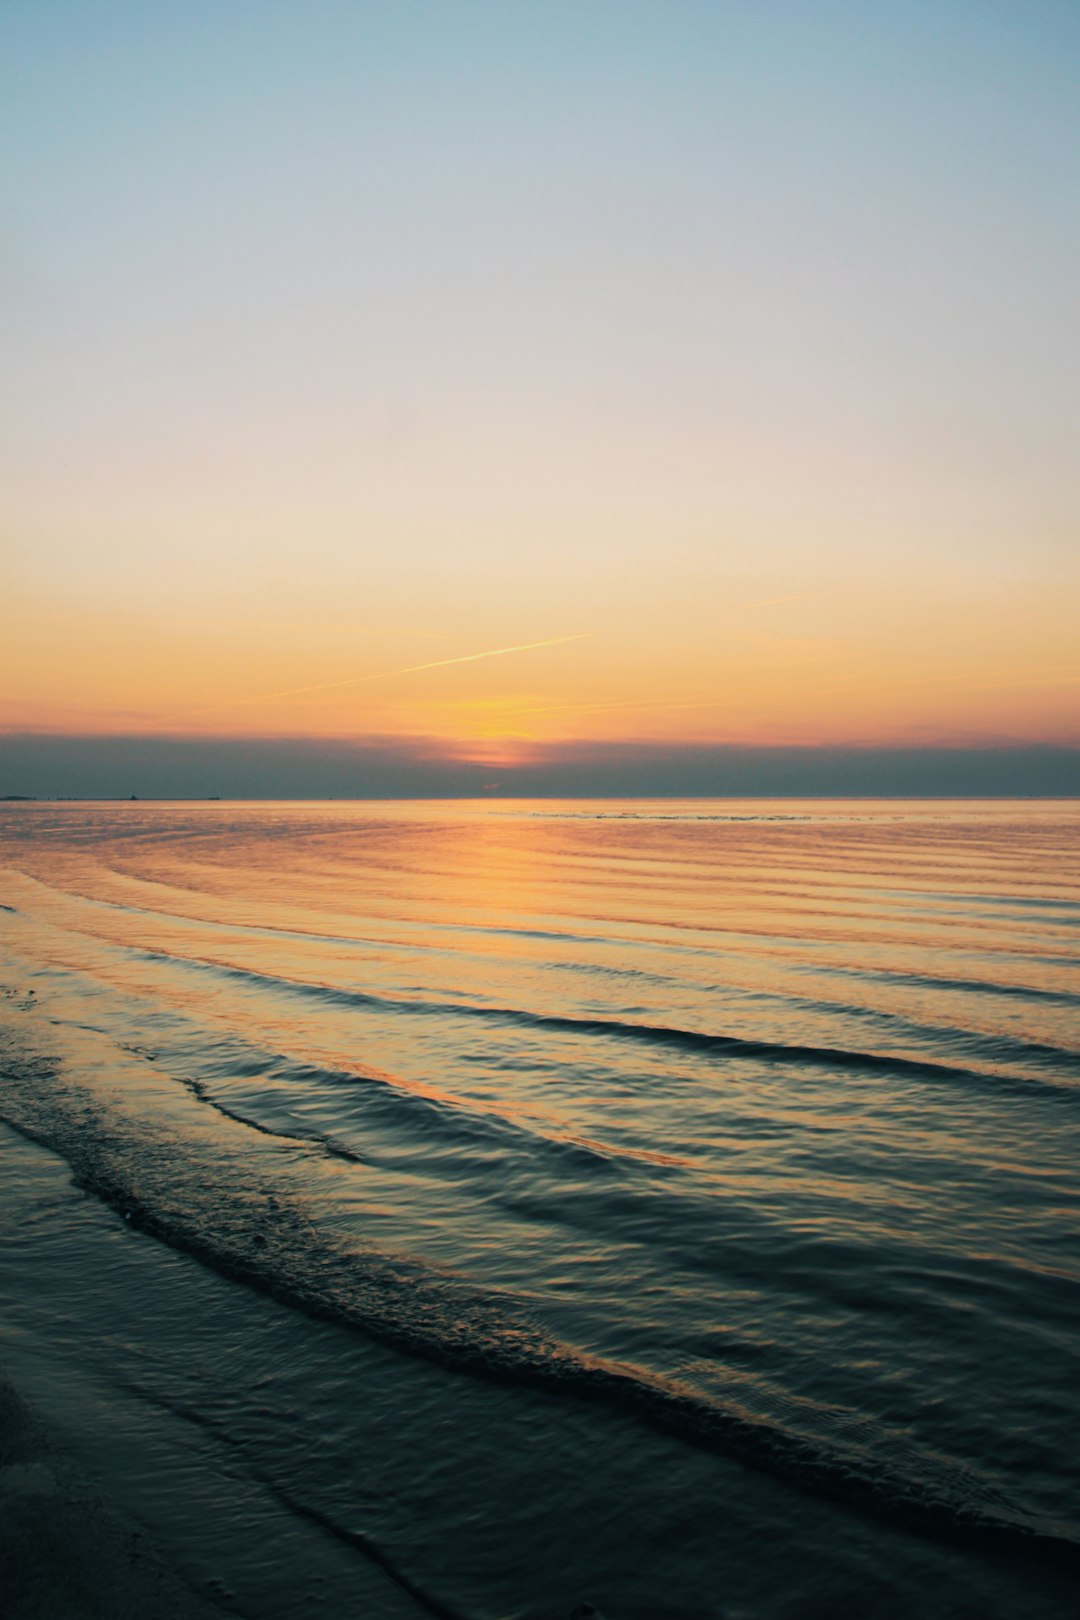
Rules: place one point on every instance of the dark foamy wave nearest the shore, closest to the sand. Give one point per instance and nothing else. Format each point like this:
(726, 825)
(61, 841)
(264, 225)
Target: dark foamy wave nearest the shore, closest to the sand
(226, 1216)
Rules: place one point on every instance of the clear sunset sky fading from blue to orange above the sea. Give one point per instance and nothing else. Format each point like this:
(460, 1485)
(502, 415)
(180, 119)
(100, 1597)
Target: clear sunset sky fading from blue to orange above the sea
(516, 383)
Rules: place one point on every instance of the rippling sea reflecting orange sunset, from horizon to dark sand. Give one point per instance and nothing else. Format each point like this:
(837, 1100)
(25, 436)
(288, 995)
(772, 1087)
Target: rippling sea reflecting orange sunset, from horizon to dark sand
(491, 1209)
